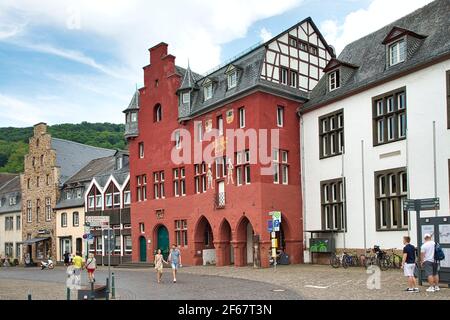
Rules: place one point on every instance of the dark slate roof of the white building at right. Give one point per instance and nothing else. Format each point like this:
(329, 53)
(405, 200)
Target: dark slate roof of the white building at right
(432, 21)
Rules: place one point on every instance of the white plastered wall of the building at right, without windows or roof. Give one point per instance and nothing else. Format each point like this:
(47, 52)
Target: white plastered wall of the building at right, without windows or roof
(426, 102)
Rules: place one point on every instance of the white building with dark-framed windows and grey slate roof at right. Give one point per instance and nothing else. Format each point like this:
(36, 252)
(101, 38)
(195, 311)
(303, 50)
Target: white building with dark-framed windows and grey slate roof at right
(379, 100)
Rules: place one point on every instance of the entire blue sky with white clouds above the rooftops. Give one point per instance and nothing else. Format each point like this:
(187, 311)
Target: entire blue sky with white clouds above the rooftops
(68, 61)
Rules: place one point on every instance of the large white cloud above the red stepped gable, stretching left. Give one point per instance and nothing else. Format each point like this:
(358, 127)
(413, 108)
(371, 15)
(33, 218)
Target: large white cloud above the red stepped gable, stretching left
(195, 29)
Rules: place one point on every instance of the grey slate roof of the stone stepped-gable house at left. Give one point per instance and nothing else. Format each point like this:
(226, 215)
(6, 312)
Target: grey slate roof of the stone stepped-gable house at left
(72, 156)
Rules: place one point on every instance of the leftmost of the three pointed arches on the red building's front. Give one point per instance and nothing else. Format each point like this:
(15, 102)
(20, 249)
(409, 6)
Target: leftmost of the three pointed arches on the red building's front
(204, 242)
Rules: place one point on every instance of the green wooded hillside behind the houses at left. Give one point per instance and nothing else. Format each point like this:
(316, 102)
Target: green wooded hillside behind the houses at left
(14, 141)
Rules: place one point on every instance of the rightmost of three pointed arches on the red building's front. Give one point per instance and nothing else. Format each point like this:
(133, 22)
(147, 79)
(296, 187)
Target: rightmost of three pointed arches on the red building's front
(244, 242)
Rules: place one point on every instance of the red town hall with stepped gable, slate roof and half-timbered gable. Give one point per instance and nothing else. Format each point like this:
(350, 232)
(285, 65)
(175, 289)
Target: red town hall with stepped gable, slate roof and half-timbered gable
(217, 211)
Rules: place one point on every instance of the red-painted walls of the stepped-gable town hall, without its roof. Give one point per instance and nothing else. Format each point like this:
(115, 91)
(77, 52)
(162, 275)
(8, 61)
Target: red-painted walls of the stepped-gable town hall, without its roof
(228, 228)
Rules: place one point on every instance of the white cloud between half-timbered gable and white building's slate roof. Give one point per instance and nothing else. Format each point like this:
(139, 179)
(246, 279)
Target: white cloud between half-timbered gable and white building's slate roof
(364, 21)
